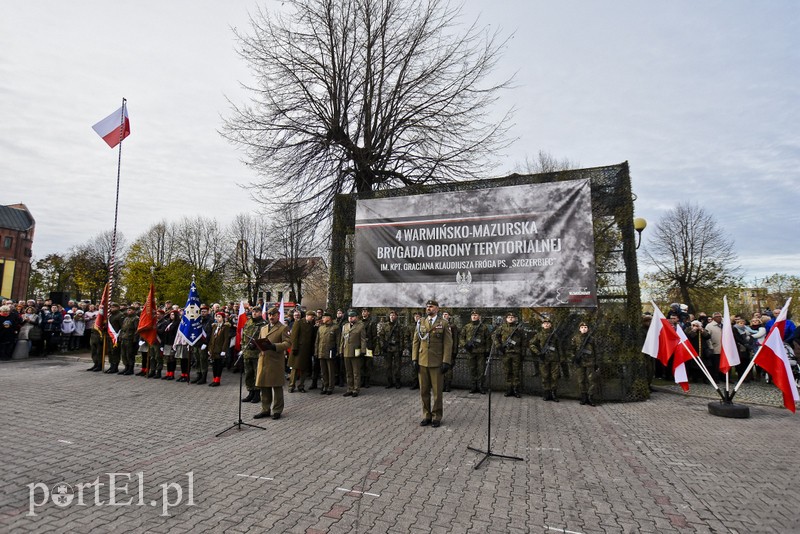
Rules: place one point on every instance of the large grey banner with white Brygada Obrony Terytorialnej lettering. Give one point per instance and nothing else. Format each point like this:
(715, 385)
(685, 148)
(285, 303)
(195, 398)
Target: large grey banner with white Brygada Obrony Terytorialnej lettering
(520, 246)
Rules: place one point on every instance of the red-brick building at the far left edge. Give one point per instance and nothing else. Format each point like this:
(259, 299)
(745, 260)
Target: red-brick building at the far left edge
(16, 244)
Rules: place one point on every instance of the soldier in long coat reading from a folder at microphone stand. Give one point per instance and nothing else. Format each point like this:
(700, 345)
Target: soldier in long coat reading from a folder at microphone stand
(273, 342)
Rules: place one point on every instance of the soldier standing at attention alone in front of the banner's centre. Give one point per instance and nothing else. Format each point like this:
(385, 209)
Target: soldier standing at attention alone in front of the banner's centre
(431, 354)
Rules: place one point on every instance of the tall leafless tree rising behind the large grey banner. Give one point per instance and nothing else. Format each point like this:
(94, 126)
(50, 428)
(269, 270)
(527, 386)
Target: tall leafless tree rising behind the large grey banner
(359, 95)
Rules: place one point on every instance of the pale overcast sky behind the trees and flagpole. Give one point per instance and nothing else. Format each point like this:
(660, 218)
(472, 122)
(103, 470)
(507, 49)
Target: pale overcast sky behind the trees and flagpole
(701, 98)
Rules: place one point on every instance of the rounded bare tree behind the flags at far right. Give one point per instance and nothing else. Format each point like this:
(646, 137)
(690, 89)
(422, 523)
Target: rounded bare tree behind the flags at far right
(691, 253)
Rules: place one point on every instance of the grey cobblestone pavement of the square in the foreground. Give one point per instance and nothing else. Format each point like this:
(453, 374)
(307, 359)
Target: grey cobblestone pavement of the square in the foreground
(343, 465)
